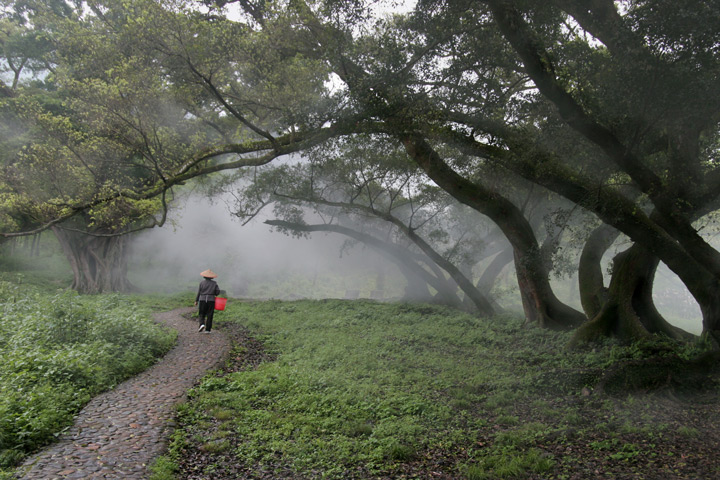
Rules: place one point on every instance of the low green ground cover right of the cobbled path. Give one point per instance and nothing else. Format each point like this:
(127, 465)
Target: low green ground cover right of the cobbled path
(338, 389)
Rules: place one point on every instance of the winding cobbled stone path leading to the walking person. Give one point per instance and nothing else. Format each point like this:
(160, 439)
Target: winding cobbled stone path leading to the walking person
(119, 433)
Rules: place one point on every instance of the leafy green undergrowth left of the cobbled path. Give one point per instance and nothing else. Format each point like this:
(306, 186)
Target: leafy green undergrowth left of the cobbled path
(59, 350)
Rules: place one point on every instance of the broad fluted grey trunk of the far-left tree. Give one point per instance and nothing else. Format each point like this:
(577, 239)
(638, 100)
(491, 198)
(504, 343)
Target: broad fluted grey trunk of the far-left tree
(99, 264)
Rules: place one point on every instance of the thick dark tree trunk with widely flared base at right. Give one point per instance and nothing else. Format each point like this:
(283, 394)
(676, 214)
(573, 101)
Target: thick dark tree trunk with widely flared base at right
(629, 312)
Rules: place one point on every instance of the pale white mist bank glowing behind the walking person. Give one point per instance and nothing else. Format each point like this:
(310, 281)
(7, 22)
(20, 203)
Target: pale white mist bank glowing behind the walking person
(252, 261)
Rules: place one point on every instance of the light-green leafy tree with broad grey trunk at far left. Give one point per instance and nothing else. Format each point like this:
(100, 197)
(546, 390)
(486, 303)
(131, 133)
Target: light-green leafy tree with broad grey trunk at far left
(62, 152)
